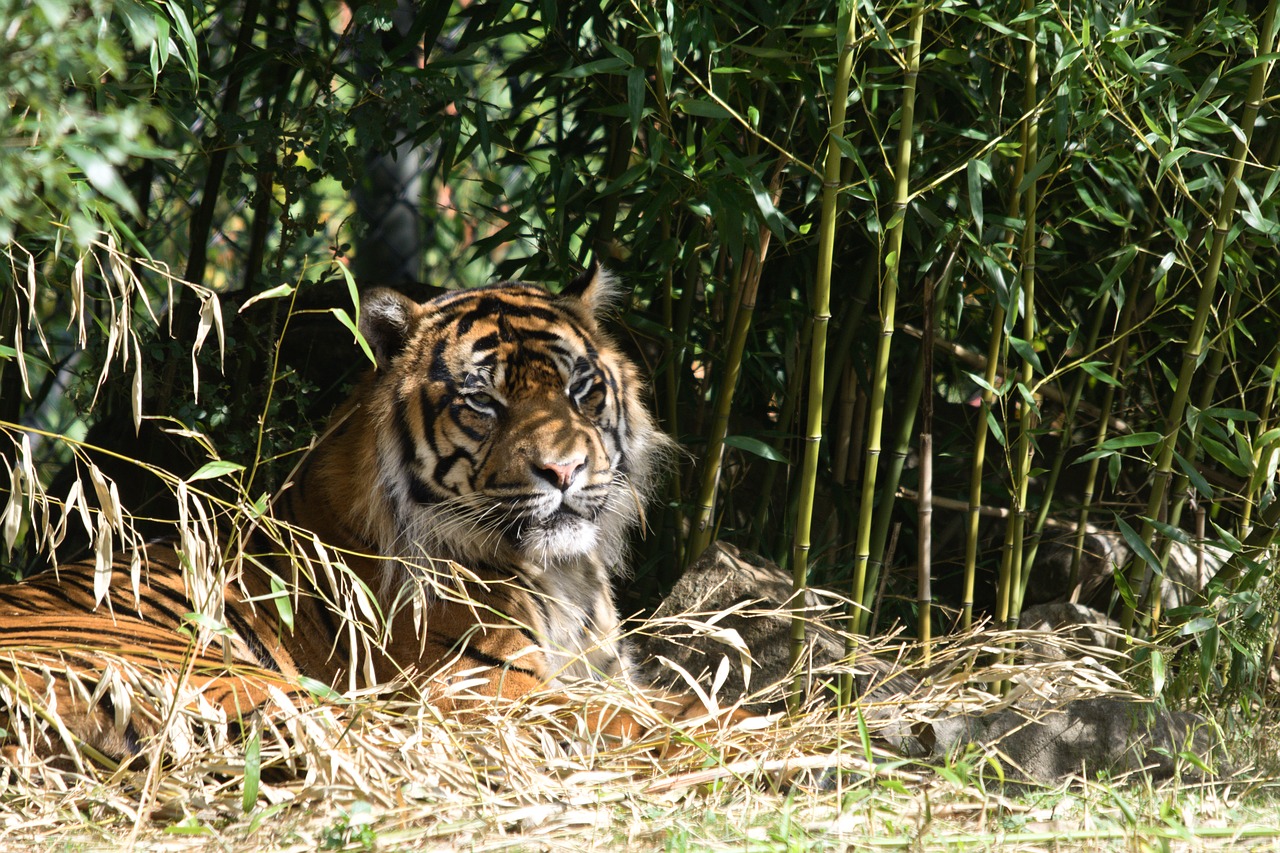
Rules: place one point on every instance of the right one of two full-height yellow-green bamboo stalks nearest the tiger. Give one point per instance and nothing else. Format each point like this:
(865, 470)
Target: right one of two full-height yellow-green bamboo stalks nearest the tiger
(889, 308)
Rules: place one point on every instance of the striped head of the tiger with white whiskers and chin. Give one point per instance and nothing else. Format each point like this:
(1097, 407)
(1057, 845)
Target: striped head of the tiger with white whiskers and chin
(508, 428)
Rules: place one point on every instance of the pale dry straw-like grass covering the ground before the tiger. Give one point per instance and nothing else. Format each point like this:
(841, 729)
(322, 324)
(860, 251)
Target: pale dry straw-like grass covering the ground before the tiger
(381, 773)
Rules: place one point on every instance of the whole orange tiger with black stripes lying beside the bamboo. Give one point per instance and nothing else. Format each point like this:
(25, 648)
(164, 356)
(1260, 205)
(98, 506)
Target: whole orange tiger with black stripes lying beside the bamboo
(481, 485)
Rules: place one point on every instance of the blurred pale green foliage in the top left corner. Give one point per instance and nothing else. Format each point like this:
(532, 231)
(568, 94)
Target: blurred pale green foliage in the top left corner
(76, 112)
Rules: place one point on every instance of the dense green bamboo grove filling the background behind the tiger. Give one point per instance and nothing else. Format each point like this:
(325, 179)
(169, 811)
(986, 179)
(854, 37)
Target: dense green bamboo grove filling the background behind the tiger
(926, 290)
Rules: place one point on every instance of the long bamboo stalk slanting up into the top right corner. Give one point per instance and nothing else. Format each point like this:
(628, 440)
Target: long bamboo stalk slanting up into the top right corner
(1195, 348)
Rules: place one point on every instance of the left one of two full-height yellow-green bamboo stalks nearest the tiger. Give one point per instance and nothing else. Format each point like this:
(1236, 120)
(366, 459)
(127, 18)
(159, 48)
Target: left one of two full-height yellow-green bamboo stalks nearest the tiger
(819, 345)
